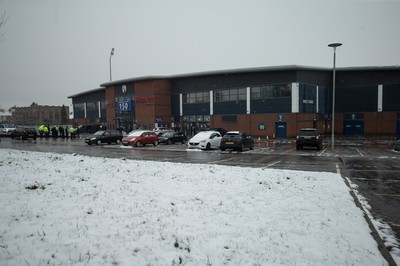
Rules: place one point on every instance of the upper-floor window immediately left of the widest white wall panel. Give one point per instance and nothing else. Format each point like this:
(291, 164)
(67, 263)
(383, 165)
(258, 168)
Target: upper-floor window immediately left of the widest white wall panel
(271, 91)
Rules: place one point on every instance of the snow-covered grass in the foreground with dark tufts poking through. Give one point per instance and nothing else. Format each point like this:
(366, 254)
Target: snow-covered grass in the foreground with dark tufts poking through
(77, 210)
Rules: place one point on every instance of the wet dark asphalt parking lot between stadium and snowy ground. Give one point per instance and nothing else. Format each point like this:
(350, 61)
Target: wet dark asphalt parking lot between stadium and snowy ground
(372, 165)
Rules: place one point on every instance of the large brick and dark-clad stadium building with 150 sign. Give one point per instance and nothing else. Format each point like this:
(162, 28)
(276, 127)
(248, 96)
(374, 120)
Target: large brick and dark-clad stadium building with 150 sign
(268, 101)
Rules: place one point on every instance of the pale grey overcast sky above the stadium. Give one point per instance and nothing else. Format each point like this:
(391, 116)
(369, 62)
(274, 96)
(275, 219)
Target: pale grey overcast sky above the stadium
(56, 48)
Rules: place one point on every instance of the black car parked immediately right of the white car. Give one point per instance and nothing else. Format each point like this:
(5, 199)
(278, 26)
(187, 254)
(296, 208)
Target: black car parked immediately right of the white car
(236, 140)
